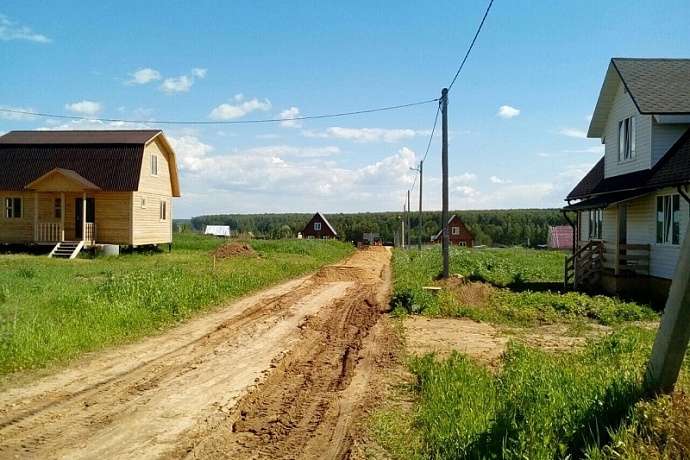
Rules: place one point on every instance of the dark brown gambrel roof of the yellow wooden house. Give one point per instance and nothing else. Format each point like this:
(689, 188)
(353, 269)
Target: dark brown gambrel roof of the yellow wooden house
(109, 159)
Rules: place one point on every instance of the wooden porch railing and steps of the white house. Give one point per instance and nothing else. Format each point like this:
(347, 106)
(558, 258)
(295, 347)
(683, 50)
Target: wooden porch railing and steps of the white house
(594, 258)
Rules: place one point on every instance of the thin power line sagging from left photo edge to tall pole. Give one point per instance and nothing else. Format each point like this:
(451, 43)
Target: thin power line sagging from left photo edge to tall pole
(220, 122)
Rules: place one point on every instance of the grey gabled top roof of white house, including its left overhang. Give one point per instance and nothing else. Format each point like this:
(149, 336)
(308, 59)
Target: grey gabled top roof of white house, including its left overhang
(656, 86)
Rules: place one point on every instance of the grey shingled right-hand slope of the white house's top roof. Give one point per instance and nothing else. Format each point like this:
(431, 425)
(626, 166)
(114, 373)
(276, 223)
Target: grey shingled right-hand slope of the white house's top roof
(657, 86)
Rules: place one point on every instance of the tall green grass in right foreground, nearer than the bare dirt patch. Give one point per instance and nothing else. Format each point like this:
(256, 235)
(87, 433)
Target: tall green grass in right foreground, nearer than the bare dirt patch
(539, 405)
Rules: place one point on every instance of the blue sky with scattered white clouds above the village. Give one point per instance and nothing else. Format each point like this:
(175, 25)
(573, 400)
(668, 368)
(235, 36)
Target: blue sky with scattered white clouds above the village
(518, 111)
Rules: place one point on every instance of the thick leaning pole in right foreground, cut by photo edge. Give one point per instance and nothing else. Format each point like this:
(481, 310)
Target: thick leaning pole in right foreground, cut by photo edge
(672, 338)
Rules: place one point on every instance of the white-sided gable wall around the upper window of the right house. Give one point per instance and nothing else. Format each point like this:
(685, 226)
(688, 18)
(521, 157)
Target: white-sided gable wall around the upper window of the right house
(622, 108)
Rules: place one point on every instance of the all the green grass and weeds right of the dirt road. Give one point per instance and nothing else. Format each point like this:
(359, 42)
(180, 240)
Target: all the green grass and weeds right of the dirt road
(584, 403)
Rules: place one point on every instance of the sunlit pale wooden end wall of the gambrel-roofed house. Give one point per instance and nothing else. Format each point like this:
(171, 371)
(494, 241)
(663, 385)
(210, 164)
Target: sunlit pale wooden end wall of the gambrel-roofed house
(147, 225)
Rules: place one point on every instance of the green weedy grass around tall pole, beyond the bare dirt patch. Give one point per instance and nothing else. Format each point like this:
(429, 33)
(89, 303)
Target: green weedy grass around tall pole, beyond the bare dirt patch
(521, 287)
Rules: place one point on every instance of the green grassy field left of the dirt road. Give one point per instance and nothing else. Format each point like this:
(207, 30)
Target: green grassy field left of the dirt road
(54, 310)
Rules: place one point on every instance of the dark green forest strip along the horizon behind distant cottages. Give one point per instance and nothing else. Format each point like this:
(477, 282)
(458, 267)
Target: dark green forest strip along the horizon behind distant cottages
(510, 227)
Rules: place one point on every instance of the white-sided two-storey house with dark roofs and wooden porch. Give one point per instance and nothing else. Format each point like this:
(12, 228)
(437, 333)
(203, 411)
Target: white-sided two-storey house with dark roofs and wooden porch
(633, 206)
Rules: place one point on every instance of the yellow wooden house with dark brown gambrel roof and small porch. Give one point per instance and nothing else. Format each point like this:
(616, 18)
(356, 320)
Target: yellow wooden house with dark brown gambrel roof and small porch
(92, 187)
